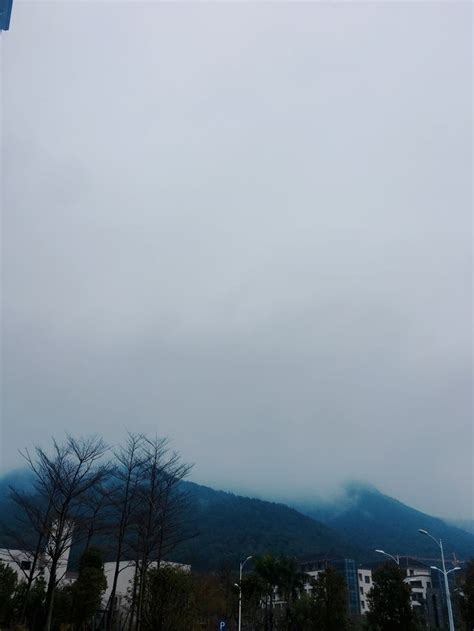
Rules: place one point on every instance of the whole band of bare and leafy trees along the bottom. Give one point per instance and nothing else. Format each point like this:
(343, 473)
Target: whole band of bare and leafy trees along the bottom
(127, 503)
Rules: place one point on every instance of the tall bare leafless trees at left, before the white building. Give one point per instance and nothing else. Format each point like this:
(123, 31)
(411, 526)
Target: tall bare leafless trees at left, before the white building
(130, 498)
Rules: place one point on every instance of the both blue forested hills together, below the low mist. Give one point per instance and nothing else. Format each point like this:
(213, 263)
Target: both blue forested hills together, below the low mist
(229, 527)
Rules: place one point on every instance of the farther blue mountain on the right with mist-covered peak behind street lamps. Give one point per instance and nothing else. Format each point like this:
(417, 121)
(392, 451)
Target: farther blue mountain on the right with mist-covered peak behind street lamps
(372, 520)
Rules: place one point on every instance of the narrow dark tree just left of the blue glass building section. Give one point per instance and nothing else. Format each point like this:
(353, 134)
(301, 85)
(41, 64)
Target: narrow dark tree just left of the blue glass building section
(330, 601)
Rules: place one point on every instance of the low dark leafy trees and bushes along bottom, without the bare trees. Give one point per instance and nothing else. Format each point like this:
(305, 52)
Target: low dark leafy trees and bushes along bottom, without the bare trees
(276, 597)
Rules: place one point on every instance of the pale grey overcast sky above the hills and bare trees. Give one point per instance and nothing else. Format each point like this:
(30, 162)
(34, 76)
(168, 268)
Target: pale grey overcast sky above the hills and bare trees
(246, 227)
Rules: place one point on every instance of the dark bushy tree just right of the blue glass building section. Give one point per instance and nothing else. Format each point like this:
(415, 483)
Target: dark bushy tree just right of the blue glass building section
(389, 601)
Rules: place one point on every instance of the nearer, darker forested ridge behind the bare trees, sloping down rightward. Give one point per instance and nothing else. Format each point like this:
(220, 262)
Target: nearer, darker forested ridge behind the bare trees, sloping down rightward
(230, 527)
